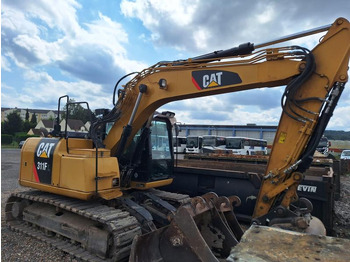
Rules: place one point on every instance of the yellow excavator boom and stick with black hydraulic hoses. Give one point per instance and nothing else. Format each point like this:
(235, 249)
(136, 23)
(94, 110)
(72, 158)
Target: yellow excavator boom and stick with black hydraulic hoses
(314, 81)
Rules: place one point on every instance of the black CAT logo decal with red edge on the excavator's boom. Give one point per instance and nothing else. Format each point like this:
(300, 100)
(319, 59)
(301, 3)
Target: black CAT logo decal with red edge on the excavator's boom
(204, 79)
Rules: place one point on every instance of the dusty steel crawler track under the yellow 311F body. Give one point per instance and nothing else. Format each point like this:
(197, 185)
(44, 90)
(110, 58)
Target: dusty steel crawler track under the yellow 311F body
(91, 232)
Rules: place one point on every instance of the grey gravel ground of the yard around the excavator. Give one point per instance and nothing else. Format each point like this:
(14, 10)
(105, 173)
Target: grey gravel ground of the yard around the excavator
(18, 247)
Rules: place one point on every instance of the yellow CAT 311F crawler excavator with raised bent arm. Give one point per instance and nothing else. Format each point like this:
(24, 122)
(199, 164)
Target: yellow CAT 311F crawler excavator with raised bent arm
(95, 196)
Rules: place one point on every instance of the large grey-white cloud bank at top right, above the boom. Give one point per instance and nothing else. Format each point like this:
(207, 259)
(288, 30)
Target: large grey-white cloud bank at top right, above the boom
(208, 25)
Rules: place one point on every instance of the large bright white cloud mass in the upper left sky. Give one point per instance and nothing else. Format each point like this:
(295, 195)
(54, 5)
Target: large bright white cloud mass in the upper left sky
(91, 52)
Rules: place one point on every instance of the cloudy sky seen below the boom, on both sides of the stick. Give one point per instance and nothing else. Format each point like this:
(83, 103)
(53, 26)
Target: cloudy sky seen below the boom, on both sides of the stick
(261, 106)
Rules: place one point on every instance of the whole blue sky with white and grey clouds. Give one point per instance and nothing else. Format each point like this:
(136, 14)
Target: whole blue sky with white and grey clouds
(81, 48)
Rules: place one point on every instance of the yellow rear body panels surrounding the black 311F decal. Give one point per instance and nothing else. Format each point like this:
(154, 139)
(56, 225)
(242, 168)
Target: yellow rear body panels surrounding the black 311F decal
(73, 173)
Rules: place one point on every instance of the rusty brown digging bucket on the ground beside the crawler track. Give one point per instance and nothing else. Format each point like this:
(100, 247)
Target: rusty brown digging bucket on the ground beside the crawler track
(204, 229)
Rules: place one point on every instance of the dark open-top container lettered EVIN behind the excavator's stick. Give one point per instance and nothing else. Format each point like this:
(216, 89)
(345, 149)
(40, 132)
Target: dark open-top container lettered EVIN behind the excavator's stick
(242, 176)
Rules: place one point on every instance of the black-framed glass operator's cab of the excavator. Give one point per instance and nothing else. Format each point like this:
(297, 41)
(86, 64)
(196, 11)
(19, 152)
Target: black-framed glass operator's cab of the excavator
(150, 155)
